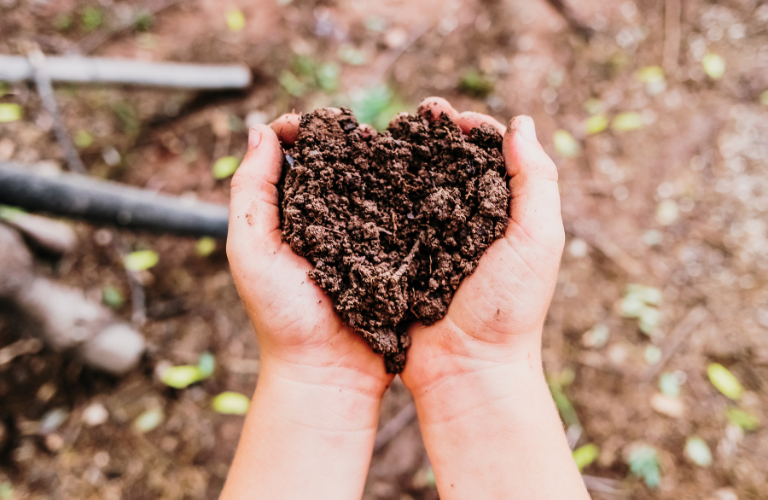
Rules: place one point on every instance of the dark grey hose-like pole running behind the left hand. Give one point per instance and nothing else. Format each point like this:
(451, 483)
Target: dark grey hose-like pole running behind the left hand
(70, 195)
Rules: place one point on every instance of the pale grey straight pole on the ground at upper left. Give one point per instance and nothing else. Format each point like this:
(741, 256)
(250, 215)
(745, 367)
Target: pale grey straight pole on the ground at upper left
(126, 71)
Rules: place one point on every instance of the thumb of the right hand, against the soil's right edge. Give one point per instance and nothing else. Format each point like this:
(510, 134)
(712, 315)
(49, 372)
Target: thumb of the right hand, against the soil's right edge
(535, 208)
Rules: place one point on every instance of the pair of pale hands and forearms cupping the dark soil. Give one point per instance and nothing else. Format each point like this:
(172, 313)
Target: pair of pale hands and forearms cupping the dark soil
(489, 424)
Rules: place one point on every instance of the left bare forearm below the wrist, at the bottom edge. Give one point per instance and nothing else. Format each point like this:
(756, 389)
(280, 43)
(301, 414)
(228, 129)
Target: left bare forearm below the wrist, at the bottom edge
(303, 439)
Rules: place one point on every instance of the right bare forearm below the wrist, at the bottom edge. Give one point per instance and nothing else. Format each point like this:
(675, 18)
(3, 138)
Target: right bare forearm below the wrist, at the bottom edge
(495, 434)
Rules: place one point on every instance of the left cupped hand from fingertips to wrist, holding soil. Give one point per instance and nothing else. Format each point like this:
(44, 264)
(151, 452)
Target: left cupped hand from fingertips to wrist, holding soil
(300, 335)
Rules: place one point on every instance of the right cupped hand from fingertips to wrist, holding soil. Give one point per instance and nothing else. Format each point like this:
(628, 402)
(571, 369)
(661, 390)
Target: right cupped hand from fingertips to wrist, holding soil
(497, 314)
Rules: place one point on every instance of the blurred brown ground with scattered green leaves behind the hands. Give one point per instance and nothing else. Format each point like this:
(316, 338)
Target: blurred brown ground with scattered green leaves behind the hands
(656, 344)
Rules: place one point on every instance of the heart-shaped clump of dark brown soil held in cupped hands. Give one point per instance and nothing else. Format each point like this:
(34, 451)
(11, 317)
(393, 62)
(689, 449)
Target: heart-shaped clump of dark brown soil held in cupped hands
(394, 222)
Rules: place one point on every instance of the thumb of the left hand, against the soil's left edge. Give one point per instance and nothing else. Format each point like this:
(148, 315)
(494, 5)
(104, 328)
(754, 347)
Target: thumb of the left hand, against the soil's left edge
(254, 215)
